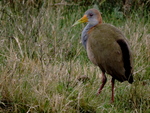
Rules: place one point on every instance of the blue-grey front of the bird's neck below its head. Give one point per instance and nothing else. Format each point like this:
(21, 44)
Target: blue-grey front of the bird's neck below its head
(84, 35)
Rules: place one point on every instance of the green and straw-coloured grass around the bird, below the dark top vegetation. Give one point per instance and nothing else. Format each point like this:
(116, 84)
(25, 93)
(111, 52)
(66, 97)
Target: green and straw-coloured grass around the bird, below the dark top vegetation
(42, 59)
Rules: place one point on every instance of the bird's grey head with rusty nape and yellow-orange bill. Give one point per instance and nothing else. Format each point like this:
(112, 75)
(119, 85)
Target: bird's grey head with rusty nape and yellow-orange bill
(91, 16)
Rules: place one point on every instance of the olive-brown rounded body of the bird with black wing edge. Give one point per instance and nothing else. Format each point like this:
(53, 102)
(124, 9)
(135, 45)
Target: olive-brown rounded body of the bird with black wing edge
(108, 48)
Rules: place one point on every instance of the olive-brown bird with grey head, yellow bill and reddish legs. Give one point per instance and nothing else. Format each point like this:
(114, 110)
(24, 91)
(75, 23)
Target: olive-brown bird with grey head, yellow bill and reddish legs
(108, 48)
